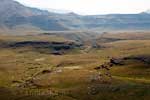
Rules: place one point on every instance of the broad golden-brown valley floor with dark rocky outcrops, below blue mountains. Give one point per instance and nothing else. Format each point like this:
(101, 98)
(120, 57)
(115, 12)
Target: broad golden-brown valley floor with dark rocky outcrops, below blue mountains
(57, 67)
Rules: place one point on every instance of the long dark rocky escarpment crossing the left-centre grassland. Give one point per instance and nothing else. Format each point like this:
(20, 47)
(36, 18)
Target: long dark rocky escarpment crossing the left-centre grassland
(56, 48)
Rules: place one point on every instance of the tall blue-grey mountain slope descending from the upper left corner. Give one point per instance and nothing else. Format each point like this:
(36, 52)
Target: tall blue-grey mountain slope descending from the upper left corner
(14, 14)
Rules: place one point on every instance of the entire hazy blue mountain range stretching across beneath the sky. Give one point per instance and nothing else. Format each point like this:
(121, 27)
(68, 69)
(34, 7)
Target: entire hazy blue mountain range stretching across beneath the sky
(14, 15)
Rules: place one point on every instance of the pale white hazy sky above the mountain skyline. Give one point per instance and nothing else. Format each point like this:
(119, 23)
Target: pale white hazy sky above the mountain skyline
(91, 7)
